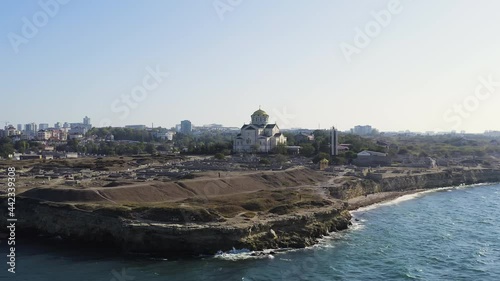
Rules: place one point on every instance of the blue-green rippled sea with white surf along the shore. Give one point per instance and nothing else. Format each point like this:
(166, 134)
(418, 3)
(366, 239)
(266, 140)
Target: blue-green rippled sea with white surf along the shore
(442, 234)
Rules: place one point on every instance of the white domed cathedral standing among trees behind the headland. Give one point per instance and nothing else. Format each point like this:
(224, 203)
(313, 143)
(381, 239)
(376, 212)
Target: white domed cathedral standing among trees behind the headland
(258, 136)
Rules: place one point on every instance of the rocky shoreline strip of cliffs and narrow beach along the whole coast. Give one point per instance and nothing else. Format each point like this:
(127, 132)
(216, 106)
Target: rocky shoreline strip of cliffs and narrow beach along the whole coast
(125, 230)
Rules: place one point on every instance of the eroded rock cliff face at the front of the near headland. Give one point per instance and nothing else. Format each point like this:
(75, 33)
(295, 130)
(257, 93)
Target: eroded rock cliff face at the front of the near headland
(118, 228)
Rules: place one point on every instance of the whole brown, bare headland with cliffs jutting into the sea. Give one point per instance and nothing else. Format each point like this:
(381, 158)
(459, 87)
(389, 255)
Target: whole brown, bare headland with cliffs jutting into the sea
(207, 211)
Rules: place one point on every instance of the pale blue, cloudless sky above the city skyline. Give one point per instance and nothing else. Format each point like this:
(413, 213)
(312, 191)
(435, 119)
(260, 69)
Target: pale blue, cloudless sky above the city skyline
(396, 65)
